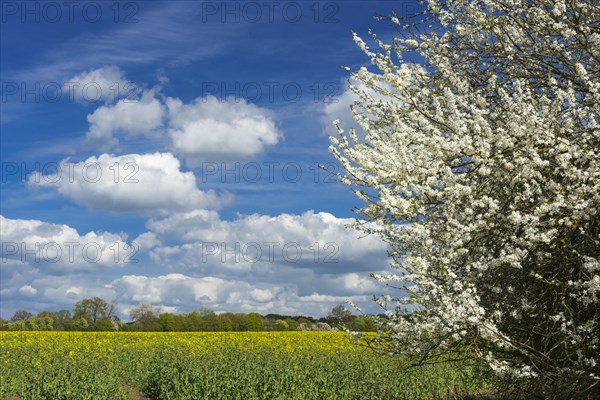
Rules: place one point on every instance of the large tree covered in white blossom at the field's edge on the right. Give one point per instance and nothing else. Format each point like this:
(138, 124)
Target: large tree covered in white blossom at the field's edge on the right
(480, 168)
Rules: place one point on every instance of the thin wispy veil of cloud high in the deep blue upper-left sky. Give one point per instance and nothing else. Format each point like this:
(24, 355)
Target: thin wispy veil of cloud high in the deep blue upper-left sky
(165, 34)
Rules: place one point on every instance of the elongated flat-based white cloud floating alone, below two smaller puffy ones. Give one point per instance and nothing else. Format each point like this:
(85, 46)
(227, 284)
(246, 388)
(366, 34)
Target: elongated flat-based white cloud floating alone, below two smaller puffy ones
(152, 183)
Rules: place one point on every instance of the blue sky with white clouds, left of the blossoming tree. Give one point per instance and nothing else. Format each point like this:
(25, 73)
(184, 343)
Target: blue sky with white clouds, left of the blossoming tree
(141, 128)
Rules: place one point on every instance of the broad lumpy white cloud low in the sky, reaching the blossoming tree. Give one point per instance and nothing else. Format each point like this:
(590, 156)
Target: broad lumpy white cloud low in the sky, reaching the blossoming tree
(321, 237)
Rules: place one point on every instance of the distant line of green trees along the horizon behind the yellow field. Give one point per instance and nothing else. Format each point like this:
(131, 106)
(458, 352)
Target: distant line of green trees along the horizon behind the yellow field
(96, 314)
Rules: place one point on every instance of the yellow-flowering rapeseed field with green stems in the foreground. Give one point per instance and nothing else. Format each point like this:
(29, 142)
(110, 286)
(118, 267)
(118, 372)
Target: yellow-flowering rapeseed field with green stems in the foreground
(207, 365)
